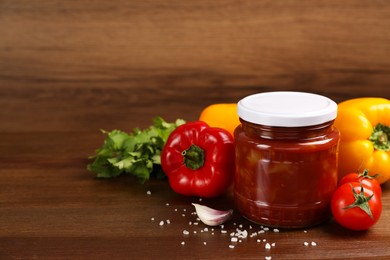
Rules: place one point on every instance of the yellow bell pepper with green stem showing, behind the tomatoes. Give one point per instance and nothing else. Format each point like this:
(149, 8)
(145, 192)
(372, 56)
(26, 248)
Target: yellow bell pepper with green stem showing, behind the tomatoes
(364, 125)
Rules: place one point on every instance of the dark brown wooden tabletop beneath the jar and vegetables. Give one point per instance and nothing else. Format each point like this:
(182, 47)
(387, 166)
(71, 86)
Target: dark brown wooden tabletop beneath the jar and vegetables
(51, 207)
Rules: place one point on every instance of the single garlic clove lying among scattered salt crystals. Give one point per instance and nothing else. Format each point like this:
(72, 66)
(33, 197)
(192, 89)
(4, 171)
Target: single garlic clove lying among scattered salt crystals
(210, 216)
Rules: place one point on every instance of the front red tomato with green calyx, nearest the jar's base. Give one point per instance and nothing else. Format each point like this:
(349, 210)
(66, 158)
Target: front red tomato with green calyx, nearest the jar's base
(355, 207)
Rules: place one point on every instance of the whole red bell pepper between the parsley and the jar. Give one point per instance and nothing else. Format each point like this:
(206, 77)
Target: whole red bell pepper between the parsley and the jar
(199, 160)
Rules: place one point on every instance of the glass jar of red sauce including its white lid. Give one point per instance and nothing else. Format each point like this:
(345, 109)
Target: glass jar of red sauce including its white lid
(286, 158)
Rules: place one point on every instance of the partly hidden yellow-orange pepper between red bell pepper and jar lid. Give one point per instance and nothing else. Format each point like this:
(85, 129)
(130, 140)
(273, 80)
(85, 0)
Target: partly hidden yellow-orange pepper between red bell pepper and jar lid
(221, 115)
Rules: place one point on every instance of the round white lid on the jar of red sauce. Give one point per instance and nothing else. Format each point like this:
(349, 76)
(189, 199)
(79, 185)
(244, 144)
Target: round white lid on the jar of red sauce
(287, 109)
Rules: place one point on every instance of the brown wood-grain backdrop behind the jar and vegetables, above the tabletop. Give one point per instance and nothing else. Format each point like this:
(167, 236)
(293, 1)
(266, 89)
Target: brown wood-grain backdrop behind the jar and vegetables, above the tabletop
(120, 63)
